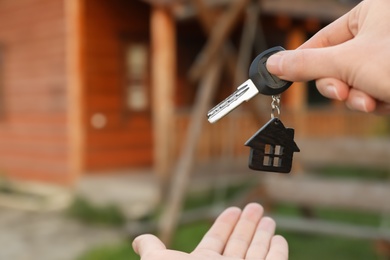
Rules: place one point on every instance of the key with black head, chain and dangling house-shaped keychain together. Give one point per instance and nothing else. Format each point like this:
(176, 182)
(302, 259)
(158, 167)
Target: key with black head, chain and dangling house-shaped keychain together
(273, 146)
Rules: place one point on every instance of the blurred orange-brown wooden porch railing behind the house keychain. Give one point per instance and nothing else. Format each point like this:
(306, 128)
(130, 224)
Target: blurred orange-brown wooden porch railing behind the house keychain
(227, 136)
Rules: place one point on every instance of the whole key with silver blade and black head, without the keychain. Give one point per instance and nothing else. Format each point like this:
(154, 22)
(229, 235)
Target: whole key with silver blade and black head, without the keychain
(260, 80)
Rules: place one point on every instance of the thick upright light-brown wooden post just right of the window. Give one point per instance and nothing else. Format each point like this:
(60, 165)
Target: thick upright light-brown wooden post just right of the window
(163, 75)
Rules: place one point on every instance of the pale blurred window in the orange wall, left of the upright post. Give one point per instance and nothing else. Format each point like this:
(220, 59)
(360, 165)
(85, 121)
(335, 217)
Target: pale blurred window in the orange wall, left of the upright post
(136, 94)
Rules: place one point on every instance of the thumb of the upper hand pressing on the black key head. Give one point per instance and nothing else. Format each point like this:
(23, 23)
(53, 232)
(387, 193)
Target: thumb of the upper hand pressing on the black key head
(307, 64)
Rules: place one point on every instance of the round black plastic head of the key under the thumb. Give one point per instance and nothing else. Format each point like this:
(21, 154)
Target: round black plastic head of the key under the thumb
(265, 82)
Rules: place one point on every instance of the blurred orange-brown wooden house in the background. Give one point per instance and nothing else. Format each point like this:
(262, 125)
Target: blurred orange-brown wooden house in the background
(101, 85)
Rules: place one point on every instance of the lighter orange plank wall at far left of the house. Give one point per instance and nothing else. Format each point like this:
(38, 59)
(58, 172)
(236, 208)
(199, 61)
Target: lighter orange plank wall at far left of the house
(33, 125)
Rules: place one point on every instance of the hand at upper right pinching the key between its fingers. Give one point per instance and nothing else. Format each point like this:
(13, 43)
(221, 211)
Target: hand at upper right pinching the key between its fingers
(349, 59)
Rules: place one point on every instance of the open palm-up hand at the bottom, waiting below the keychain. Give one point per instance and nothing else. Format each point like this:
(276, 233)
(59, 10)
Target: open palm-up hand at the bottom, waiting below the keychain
(235, 235)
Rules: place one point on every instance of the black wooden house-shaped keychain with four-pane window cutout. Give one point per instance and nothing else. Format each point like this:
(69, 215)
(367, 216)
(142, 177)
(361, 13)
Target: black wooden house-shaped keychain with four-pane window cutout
(272, 148)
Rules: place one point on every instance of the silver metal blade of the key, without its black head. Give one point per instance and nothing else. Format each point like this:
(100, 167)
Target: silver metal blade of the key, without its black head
(244, 92)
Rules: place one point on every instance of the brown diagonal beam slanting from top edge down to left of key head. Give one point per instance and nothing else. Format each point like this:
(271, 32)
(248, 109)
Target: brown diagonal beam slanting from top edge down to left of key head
(218, 36)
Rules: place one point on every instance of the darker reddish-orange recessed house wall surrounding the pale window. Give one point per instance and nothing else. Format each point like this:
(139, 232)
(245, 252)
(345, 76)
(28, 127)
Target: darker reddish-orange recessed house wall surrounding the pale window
(126, 139)
